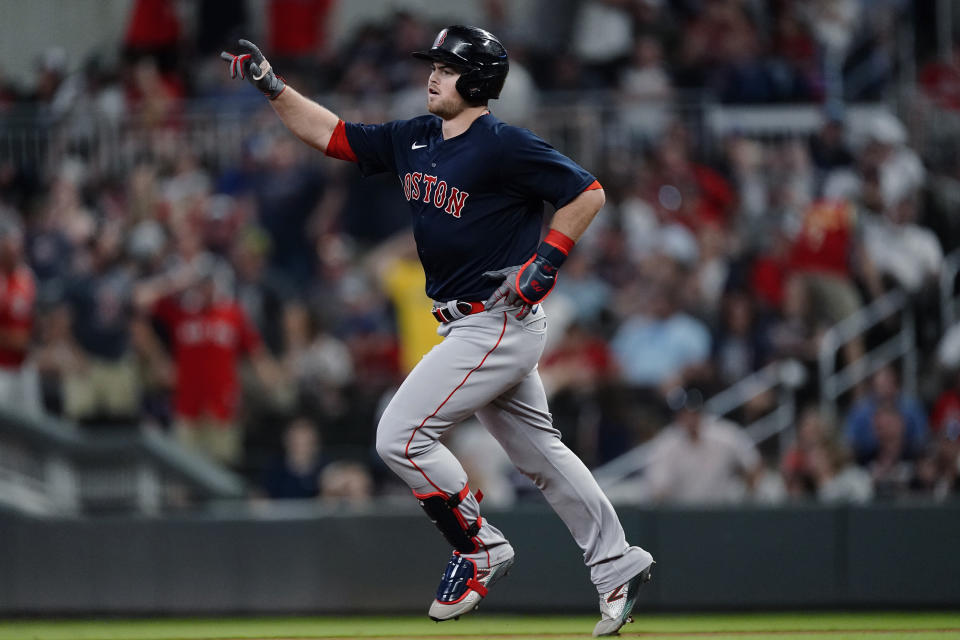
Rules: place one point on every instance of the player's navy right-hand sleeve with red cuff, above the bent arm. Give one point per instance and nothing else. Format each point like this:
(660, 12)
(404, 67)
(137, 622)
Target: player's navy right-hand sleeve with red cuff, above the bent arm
(534, 168)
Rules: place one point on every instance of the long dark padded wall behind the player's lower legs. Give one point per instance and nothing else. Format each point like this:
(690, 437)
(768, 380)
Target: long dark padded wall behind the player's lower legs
(717, 559)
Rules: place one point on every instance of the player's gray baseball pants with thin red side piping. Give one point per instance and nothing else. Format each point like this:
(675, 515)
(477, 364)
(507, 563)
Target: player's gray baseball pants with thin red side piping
(487, 366)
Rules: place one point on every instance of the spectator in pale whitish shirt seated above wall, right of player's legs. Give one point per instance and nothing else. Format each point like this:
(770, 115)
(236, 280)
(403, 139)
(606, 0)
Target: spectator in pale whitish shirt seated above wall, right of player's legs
(700, 458)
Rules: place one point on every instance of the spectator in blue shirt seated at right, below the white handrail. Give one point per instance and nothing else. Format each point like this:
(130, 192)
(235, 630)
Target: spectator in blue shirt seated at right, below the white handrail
(860, 425)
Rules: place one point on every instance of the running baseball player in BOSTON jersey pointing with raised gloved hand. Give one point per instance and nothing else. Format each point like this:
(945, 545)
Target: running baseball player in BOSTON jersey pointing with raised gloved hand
(476, 188)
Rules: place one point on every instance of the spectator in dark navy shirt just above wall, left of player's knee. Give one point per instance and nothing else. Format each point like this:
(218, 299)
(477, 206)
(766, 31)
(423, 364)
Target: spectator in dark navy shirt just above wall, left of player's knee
(296, 473)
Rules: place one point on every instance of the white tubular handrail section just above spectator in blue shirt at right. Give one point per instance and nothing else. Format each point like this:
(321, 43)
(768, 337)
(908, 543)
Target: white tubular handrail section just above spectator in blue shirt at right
(834, 382)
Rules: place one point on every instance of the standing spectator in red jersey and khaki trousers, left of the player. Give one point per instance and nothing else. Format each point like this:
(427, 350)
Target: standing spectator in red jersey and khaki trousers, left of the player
(209, 333)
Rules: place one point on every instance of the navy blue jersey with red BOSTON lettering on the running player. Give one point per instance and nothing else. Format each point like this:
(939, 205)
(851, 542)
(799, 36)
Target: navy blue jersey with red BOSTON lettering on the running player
(476, 199)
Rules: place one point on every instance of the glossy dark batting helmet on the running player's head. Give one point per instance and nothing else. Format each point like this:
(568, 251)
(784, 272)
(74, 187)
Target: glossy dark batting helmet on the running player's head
(480, 55)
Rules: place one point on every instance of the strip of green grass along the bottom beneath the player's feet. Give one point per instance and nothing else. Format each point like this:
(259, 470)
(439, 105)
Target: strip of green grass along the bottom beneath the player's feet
(792, 626)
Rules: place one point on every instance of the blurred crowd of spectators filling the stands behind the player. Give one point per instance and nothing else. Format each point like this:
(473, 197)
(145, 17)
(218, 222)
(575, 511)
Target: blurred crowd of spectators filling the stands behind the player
(262, 309)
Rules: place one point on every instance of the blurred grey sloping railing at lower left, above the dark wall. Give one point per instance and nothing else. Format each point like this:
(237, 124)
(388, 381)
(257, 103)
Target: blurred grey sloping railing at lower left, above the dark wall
(50, 467)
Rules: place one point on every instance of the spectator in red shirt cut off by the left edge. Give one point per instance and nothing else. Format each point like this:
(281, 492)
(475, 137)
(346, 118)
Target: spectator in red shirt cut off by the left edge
(19, 383)
